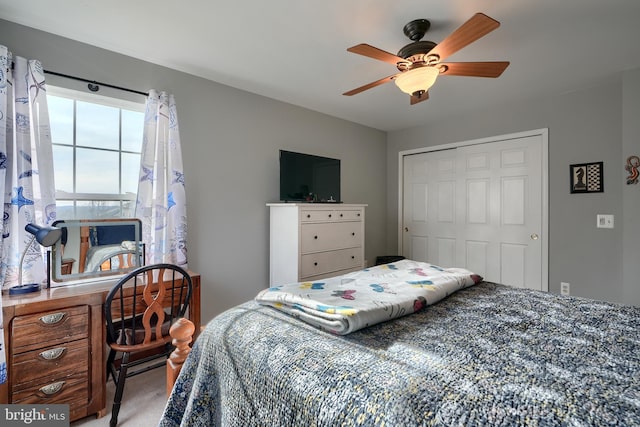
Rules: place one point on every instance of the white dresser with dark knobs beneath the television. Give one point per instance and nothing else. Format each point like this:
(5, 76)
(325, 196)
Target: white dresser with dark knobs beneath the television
(310, 241)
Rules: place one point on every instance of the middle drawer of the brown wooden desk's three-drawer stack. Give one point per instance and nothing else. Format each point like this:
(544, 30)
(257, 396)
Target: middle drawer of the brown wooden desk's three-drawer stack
(51, 362)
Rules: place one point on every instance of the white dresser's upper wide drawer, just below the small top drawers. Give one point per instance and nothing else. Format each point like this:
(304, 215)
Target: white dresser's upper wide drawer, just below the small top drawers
(323, 237)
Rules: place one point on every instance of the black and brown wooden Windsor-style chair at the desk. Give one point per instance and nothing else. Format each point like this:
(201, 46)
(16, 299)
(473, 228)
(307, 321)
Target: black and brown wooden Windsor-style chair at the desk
(139, 312)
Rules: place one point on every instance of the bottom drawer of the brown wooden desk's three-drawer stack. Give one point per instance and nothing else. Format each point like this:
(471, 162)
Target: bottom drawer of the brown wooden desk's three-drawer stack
(72, 390)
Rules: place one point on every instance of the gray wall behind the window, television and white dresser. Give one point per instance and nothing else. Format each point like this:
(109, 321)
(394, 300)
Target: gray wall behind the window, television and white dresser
(230, 142)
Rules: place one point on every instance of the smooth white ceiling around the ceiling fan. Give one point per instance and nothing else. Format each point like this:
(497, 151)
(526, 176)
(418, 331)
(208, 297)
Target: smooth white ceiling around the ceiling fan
(295, 50)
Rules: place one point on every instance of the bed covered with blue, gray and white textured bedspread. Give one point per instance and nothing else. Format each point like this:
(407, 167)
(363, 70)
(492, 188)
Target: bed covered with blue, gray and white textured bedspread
(482, 354)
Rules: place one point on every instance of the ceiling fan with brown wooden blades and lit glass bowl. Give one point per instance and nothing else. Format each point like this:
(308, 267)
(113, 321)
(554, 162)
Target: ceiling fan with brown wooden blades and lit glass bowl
(420, 62)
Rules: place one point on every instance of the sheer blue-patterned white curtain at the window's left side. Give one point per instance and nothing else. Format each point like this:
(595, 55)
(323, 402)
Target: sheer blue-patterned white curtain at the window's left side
(26, 171)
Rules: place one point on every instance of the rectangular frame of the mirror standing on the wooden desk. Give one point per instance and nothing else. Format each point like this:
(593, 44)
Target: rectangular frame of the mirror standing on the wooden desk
(78, 225)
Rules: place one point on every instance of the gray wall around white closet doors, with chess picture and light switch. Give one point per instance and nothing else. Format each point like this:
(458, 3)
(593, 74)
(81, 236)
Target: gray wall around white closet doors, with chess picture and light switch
(584, 126)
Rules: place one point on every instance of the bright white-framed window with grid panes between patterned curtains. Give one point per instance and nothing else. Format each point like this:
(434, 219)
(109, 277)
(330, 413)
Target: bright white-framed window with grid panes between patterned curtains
(96, 153)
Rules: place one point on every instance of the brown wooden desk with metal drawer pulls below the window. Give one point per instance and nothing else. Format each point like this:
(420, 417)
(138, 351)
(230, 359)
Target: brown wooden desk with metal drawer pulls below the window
(55, 346)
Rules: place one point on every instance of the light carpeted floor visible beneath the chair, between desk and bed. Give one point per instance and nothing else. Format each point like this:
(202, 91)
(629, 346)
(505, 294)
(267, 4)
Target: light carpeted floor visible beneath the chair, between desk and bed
(142, 405)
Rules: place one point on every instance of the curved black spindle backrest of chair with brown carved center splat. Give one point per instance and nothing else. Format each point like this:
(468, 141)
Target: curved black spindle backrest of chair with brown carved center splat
(142, 306)
